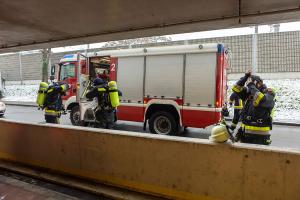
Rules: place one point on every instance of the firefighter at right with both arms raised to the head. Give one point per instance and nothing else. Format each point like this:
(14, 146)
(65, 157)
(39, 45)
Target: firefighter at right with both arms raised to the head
(256, 113)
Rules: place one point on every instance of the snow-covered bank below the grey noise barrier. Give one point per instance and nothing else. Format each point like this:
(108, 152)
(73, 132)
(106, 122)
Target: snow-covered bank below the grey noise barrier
(287, 107)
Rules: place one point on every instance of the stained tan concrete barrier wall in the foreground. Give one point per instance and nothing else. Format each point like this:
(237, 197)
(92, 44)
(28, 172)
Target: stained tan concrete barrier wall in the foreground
(180, 168)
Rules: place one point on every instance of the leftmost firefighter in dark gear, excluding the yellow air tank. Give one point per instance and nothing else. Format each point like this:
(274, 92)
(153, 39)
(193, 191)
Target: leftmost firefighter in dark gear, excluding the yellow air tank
(53, 102)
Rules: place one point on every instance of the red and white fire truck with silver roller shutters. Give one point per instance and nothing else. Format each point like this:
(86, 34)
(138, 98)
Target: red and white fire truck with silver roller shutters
(166, 87)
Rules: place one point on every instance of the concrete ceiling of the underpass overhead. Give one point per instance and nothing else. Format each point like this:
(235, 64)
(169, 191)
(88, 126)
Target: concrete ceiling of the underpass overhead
(31, 24)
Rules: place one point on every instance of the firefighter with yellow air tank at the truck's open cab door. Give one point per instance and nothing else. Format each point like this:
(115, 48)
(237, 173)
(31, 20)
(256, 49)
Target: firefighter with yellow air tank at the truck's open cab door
(105, 112)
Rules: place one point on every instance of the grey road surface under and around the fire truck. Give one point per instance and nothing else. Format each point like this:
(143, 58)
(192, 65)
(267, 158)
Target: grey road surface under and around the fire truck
(282, 136)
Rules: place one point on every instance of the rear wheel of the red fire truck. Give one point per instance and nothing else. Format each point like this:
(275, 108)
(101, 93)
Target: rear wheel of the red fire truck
(163, 123)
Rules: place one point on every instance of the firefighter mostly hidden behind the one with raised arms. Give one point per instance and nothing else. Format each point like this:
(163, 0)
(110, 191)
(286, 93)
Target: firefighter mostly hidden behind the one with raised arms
(237, 103)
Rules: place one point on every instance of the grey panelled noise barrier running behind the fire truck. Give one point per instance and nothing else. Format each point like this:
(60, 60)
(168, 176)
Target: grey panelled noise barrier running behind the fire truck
(277, 52)
